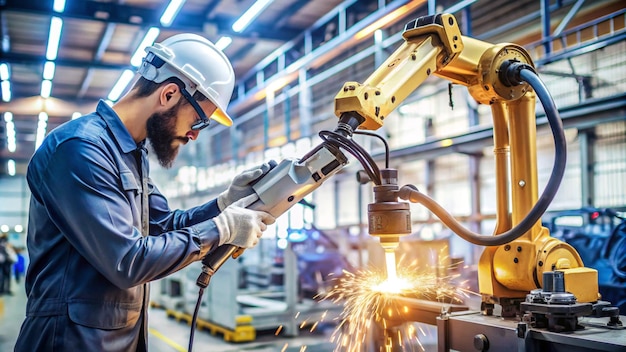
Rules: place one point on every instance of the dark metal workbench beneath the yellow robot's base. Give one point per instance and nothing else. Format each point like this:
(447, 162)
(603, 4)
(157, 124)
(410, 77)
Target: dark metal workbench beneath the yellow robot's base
(472, 331)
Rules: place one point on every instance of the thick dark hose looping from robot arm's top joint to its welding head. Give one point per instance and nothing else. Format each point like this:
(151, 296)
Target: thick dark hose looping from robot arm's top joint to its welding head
(527, 74)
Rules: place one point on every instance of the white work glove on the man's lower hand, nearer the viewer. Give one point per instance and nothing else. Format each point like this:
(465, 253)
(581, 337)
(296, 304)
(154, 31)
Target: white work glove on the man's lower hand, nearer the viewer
(240, 226)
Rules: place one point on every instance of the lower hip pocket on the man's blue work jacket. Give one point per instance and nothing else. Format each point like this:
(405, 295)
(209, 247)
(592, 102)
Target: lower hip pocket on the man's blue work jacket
(104, 315)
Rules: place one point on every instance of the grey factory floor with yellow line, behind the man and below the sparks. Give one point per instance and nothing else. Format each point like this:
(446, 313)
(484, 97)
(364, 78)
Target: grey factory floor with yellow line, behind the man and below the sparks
(169, 335)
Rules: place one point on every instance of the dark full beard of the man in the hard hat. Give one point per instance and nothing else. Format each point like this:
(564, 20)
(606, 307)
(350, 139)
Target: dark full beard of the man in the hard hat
(161, 128)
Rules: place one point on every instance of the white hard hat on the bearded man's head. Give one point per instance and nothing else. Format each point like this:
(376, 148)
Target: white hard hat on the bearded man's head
(198, 63)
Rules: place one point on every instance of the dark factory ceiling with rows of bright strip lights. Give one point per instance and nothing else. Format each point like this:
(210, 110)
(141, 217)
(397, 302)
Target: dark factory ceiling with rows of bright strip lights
(59, 57)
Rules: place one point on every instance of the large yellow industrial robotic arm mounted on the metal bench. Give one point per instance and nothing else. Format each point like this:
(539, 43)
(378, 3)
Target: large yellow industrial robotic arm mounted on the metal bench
(509, 268)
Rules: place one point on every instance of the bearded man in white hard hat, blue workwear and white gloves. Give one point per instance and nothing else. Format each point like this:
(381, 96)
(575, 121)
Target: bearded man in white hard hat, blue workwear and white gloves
(99, 230)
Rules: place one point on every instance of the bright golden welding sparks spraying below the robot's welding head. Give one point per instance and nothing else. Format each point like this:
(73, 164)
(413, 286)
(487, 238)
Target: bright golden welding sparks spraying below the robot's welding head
(370, 302)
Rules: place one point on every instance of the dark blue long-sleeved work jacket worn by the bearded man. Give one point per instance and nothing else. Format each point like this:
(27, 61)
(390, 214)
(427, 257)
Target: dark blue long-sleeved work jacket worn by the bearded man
(90, 263)
